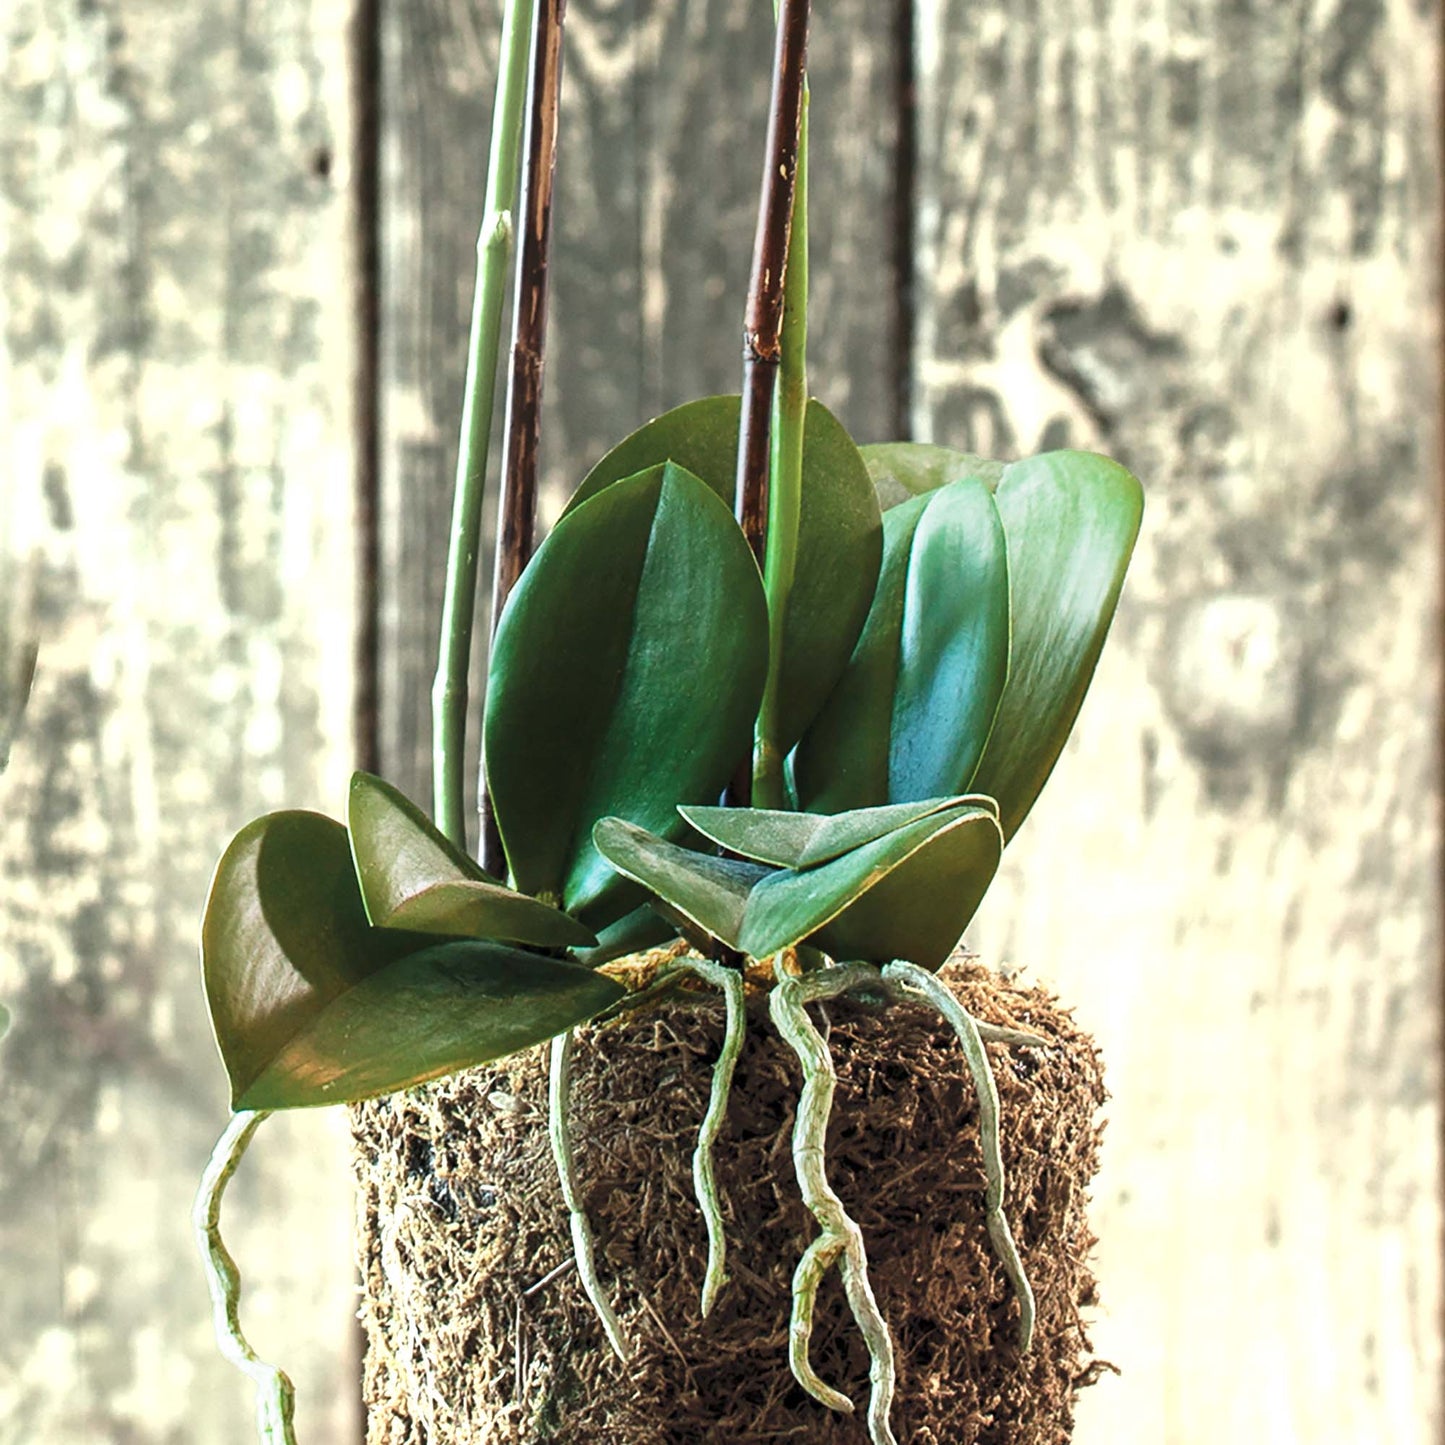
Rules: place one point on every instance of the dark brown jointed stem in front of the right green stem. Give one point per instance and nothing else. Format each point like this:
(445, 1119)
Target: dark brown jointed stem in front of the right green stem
(764, 322)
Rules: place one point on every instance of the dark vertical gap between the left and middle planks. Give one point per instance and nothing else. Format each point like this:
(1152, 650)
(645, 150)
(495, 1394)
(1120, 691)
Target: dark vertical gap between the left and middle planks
(365, 102)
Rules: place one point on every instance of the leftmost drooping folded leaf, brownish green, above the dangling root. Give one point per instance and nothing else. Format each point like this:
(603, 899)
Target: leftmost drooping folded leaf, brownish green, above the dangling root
(313, 1006)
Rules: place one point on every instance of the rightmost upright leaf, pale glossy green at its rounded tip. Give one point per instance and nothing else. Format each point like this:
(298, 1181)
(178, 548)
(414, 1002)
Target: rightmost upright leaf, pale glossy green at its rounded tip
(1071, 521)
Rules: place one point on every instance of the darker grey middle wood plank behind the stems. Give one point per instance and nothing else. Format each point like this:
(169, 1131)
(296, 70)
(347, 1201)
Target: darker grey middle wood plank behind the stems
(658, 176)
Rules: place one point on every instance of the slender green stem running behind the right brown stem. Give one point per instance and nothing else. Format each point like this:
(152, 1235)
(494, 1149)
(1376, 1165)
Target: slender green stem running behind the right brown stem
(785, 483)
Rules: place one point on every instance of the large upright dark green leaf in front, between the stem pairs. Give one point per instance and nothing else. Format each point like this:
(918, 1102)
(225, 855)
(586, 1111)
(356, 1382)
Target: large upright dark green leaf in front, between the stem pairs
(625, 680)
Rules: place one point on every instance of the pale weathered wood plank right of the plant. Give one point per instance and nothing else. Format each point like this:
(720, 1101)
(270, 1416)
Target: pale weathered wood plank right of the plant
(1204, 238)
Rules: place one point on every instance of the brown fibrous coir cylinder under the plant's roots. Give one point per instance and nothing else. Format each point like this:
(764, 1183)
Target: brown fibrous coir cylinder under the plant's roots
(480, 1334)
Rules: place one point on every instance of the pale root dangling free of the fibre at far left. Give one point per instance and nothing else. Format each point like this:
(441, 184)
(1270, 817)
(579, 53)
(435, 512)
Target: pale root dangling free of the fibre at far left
(275, 1395)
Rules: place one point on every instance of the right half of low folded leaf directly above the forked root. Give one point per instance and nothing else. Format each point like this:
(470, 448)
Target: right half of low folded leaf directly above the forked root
(933, 874)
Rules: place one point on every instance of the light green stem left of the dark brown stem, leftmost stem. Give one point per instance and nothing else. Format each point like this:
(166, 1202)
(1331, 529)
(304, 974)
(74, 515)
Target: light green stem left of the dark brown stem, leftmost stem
(495, 246)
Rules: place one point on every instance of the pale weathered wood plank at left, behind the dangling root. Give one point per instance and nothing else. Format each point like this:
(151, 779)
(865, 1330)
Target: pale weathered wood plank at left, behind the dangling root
(174, 414)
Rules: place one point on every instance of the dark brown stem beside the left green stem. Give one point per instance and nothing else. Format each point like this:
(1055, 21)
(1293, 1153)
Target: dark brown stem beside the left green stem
(517, 522)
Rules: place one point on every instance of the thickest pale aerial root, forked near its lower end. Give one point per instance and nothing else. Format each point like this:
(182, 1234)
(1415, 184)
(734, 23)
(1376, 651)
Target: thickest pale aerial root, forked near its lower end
(842, 1241)
